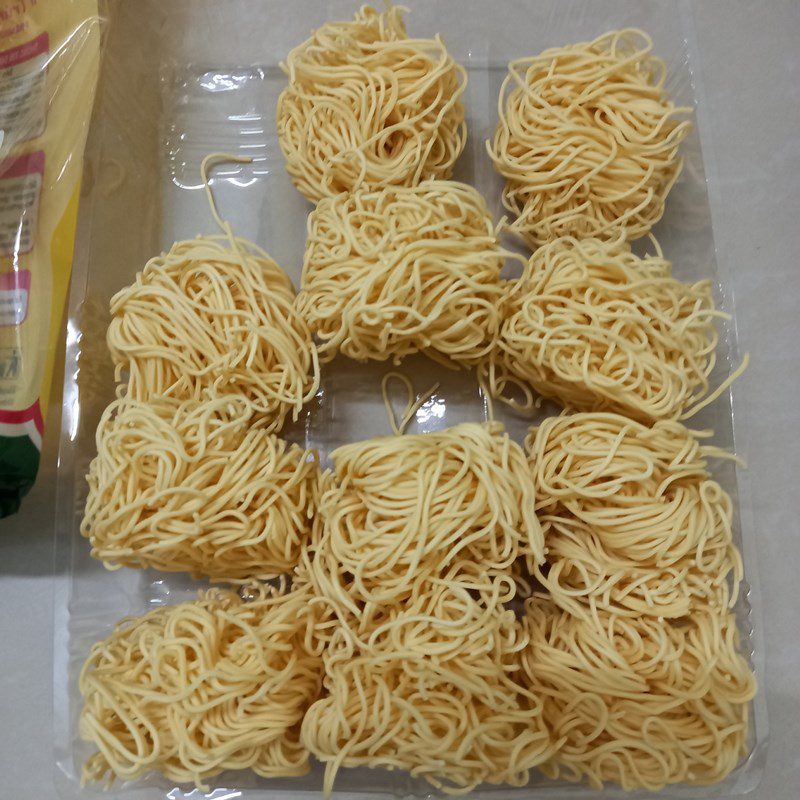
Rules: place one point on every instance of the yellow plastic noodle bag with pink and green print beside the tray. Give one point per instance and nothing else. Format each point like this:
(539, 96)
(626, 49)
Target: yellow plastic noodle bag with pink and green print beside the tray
(49, 58)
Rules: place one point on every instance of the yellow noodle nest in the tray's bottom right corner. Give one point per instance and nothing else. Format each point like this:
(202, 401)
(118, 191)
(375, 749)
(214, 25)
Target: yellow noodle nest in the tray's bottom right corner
(638, 701)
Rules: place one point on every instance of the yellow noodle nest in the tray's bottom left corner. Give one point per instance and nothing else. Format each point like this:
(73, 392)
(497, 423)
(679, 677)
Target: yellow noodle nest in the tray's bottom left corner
(205, 686)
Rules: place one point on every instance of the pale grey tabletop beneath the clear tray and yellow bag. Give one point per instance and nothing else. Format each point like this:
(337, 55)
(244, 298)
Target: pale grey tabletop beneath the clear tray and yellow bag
(751, 55)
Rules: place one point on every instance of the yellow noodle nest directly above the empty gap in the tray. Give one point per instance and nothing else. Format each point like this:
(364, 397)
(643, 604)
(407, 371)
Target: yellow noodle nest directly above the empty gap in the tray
(401, 270)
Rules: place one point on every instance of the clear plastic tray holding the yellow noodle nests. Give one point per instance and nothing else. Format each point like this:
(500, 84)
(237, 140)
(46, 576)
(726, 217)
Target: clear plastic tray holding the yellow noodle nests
(189, 77)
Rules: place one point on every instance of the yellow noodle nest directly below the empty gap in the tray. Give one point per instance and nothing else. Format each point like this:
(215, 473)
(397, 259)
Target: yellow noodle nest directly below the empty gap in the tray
(396, 512)
